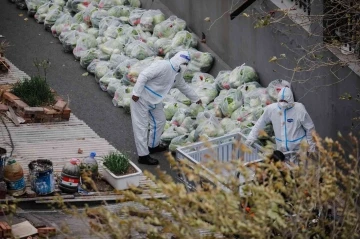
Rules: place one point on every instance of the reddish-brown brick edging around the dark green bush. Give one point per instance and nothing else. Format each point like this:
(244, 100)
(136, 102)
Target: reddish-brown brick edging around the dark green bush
(59, 112)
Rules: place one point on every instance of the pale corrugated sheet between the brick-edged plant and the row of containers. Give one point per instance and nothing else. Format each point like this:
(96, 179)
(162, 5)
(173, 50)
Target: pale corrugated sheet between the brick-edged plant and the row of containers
(57, 141)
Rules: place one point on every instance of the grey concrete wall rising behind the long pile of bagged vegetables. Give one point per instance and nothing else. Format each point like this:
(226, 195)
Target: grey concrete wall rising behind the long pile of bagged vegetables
(236, 41)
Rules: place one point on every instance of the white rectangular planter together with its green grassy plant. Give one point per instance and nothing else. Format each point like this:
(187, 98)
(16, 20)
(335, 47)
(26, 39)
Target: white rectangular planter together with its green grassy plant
(120, 172)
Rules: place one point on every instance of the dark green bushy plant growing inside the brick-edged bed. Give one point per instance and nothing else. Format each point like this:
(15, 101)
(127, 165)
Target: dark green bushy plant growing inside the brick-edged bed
(35, 92)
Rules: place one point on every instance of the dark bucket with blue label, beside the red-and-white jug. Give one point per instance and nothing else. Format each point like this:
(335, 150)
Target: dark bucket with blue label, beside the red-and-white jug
(41, 176)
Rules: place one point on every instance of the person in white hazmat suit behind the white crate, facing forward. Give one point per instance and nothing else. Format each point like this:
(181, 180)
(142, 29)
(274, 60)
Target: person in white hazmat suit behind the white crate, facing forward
(290, 121)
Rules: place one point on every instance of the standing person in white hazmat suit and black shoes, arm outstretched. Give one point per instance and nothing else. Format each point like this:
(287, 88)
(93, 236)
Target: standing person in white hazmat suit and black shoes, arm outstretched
(152, 86)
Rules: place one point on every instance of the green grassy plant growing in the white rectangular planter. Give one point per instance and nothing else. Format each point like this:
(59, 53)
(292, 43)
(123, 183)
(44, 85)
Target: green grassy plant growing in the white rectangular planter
(118, 163)
